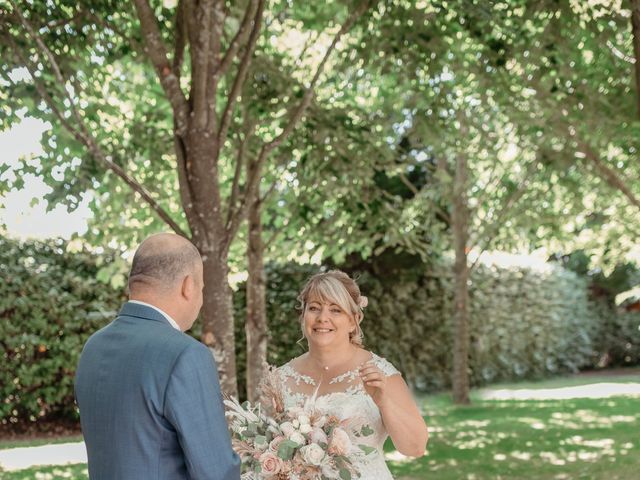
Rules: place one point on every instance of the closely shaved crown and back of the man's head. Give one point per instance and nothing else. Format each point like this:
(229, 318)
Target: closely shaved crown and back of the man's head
(161, 261)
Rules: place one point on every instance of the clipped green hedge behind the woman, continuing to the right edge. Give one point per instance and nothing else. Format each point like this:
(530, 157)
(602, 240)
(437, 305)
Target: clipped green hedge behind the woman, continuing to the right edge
(525, 321)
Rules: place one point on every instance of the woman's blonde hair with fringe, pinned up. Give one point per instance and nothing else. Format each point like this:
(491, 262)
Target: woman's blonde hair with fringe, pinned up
(336, 287)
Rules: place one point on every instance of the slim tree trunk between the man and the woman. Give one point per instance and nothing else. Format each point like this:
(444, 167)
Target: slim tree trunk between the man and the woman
(256, 322)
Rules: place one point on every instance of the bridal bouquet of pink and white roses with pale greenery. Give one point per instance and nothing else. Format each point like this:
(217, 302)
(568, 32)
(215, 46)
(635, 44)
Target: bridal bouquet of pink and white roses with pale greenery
(293, 444)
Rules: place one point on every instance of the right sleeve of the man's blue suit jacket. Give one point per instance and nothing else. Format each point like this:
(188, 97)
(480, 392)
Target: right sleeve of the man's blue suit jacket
(193, 405)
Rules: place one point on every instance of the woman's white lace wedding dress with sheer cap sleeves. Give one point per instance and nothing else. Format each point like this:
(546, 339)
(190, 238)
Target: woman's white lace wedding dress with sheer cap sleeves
(345, 397)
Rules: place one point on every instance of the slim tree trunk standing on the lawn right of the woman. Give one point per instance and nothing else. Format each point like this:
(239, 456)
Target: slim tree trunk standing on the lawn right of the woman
(460, 224)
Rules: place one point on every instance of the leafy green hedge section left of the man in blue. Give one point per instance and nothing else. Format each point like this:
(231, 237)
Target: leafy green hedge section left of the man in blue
(50, 302)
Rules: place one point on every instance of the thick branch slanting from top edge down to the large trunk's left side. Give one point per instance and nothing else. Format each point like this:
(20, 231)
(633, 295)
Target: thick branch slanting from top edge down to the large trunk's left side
(157, 52)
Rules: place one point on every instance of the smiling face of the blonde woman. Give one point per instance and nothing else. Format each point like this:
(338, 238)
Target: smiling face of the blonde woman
(325, 323)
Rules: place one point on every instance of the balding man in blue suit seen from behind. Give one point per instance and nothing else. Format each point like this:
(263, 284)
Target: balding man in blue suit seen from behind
(149, 397)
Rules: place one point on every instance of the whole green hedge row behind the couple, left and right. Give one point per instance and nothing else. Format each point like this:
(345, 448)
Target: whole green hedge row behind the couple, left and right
(525, 322)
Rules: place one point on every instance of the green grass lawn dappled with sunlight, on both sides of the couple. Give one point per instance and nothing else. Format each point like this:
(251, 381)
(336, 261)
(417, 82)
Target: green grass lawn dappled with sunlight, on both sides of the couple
(582, 438)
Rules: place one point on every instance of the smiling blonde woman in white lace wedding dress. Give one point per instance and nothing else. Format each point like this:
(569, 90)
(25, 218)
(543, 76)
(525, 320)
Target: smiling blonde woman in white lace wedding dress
(341, 378)
